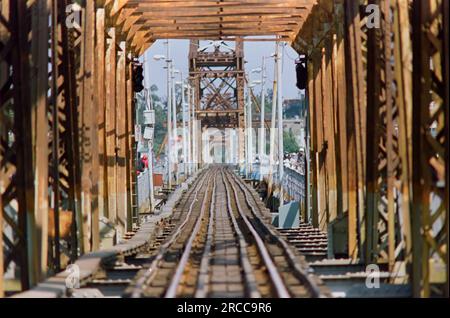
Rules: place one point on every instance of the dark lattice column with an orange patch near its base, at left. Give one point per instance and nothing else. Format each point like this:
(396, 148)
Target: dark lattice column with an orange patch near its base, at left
(65, 168)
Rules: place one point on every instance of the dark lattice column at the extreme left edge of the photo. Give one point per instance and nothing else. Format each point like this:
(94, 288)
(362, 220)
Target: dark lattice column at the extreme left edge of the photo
(16, 170)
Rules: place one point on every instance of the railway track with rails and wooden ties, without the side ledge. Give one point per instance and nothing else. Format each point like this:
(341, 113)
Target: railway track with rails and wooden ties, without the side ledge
(224, 246)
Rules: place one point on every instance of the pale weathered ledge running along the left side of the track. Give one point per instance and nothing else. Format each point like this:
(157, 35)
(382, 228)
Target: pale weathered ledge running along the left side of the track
(90, 264)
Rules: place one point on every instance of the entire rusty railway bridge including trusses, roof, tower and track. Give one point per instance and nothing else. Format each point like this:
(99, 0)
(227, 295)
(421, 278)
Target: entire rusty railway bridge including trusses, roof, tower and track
(375, 75)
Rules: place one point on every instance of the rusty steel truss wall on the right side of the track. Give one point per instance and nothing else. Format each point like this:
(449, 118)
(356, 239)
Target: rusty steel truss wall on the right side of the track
(379, 163)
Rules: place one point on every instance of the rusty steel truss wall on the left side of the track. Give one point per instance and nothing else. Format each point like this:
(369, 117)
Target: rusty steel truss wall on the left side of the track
(66, 134)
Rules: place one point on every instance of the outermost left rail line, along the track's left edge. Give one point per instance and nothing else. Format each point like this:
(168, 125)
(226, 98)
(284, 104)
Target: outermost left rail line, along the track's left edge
(151, 271)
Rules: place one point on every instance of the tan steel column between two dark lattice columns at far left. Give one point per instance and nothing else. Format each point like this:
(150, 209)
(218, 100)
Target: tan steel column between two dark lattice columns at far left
(39, 88)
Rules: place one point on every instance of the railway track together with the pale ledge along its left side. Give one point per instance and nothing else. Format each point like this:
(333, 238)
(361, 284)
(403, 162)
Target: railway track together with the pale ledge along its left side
(214, 240)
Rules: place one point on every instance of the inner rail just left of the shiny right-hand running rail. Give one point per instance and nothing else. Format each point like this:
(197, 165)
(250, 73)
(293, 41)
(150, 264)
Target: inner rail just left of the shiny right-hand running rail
(245, 262)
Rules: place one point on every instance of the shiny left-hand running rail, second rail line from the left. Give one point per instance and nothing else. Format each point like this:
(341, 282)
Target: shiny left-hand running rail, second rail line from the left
(174, 284)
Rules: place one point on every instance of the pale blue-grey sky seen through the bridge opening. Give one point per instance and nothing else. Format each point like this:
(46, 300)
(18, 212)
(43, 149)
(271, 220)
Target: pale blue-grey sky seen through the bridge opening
(254, 52)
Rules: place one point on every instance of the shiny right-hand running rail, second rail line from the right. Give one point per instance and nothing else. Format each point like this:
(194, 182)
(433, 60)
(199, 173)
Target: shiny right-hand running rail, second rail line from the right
(274, 275)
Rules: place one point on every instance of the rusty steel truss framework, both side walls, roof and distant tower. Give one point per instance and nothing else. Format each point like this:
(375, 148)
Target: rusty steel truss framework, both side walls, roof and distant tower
(378, 101)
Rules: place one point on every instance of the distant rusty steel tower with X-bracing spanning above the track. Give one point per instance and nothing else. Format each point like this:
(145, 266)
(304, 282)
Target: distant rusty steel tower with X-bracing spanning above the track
(218, 77)
